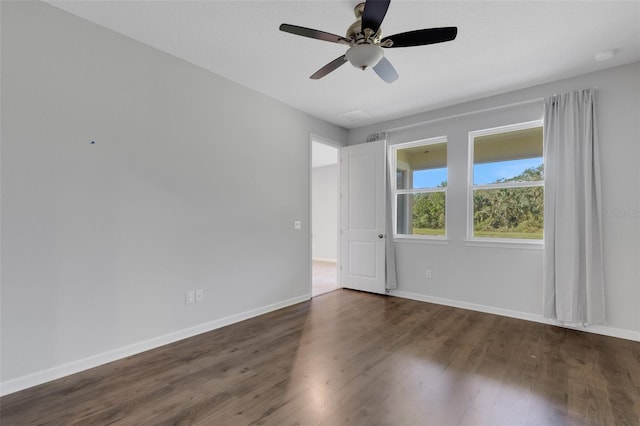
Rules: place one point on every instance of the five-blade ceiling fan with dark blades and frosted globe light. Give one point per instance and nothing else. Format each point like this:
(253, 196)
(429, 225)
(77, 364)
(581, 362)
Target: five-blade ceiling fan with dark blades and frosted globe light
(364, 38)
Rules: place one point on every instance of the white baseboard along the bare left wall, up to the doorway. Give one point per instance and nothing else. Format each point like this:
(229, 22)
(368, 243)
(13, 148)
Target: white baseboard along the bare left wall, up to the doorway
(73, 367)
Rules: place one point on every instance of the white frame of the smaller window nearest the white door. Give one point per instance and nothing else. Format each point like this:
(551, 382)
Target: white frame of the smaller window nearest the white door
(393, 149)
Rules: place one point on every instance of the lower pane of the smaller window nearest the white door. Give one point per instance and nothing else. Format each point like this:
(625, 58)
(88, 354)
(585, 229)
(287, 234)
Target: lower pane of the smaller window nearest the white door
(421, 214)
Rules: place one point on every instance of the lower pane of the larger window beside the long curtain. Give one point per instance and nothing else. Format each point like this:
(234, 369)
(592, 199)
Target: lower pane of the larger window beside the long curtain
(508, 212)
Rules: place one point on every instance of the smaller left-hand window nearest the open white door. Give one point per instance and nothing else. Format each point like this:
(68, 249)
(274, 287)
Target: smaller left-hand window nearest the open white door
(420, 188)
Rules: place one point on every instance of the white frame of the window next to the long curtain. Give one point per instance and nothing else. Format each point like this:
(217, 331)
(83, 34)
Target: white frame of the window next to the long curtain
(489, 241)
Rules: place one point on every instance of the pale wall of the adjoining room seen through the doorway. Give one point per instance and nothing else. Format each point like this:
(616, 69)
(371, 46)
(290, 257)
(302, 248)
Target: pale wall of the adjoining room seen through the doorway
(324, 200)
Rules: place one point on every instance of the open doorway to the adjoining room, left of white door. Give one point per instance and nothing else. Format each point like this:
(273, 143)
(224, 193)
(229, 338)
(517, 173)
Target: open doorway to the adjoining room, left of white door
(324, 217)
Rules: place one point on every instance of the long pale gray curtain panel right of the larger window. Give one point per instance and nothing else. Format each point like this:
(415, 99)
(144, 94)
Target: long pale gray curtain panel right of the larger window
(573, 266)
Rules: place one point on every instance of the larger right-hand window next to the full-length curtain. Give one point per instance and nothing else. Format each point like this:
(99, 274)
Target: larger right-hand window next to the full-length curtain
(506, 183)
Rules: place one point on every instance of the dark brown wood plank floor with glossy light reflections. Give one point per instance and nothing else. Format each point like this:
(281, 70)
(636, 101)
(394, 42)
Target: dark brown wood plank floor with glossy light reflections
(354, 358)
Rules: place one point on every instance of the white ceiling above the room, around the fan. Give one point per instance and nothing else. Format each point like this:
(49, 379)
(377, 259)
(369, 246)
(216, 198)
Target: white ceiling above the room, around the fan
(501, 46)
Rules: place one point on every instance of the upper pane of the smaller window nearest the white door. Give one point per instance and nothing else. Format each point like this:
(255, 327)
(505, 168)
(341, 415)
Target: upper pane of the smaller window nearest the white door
(423, 166)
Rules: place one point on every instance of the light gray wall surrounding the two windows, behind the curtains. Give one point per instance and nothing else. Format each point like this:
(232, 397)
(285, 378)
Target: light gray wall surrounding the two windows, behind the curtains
(508, 280)
